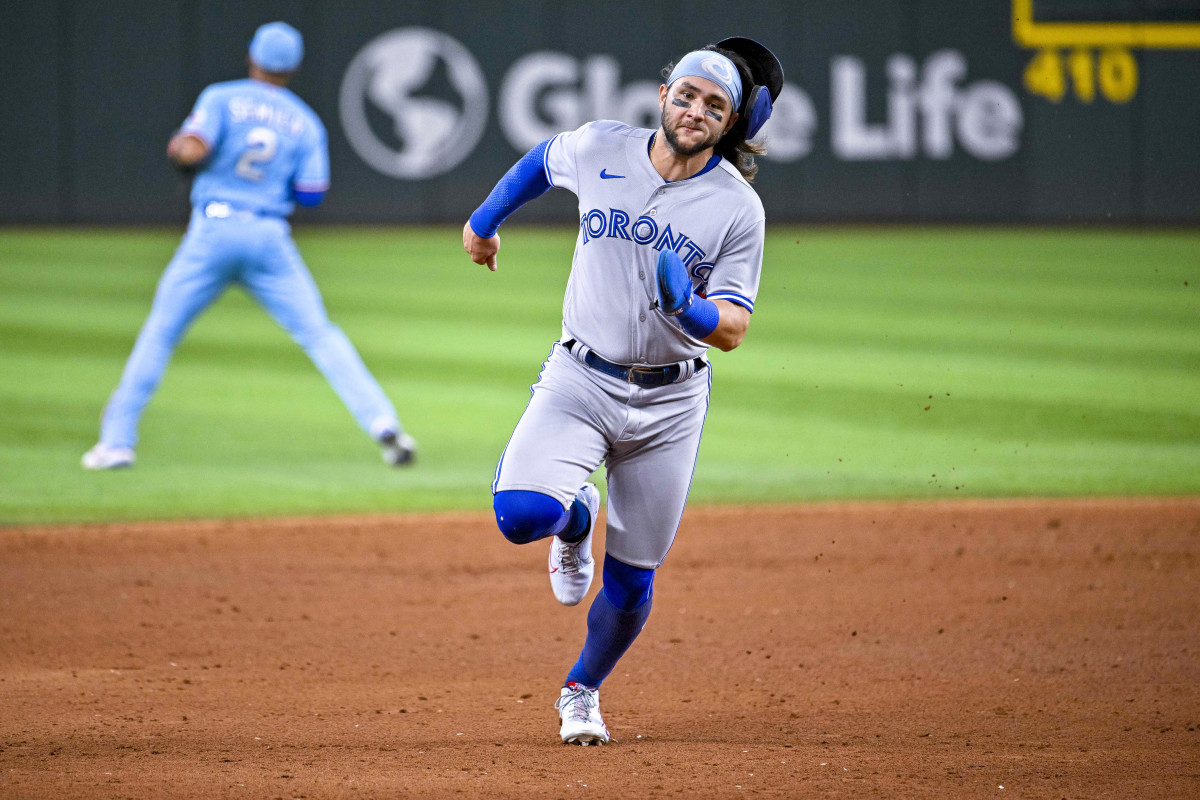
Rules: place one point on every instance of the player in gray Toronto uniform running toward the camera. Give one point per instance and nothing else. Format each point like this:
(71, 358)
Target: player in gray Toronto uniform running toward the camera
(667, 266)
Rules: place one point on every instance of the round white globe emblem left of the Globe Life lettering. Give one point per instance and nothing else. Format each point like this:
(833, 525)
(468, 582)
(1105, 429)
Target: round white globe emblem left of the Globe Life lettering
(413, 104)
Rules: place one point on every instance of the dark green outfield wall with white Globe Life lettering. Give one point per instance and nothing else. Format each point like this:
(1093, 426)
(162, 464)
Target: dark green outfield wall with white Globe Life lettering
(943, 111)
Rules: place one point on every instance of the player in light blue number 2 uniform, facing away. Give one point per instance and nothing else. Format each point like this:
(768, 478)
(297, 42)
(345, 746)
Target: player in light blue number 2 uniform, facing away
(257, 149)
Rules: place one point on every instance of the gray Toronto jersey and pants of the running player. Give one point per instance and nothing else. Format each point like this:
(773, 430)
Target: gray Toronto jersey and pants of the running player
(580, 417)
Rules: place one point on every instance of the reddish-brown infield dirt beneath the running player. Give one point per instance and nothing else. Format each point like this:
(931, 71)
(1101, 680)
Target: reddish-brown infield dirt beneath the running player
(1015, 649)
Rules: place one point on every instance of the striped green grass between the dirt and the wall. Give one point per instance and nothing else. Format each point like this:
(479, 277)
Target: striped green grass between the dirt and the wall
(881, 364)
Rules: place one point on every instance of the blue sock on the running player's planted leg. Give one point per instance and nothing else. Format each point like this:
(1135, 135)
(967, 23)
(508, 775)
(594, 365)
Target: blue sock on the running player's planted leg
(617, 616)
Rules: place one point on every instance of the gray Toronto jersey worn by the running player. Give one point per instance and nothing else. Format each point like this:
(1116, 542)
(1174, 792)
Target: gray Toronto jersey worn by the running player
(715, 221)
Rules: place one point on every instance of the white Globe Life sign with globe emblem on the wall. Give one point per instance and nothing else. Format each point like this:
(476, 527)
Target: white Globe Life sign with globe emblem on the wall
(415, 105)
